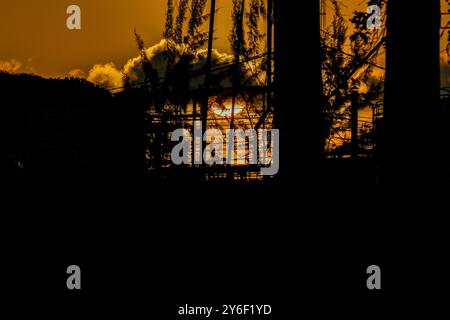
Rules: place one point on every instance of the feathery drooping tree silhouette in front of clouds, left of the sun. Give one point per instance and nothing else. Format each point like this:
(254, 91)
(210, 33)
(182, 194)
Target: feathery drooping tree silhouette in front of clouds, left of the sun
(169, 96)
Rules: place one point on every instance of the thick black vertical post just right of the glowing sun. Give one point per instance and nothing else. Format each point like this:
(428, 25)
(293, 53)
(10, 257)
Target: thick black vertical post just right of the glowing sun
(291, 19)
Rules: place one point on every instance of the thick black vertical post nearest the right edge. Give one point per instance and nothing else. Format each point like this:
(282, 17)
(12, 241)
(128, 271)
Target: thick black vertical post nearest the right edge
(412, 163)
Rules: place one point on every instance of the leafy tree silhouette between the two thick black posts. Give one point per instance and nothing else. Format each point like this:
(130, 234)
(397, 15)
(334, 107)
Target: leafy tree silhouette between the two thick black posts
(346, 71)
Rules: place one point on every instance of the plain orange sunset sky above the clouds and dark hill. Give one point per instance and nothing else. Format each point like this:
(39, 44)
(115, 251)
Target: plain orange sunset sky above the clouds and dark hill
(34, 37)
